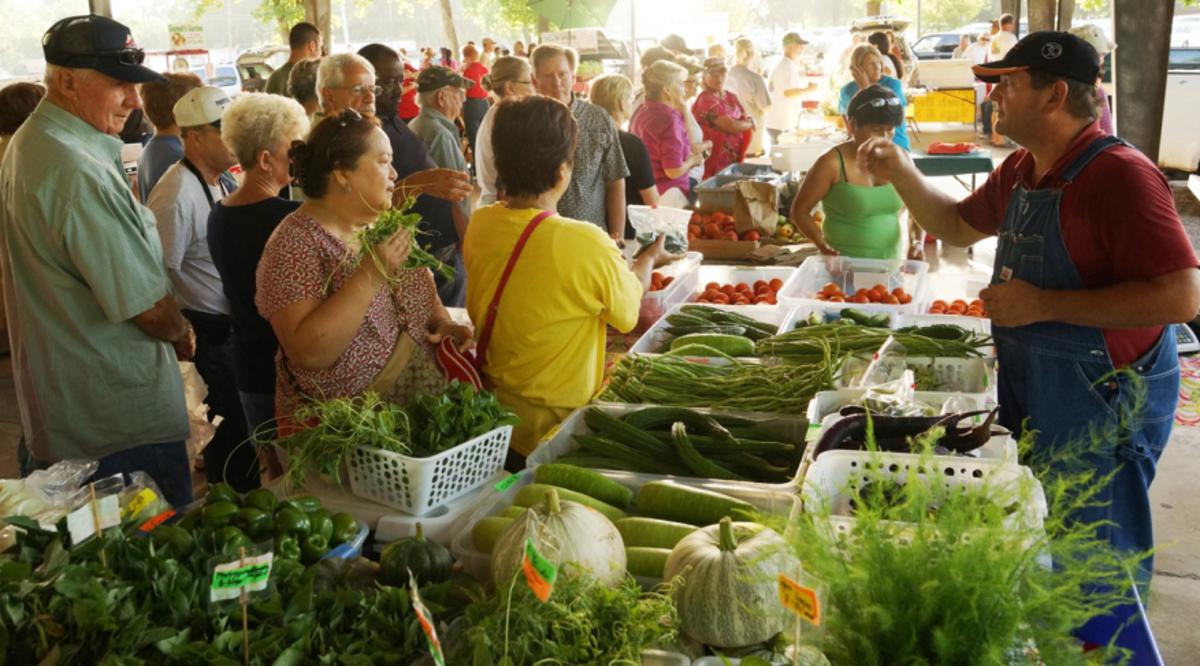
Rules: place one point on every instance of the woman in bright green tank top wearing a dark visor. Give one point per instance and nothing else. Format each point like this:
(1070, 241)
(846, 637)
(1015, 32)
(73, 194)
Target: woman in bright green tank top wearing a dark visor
(862, 215)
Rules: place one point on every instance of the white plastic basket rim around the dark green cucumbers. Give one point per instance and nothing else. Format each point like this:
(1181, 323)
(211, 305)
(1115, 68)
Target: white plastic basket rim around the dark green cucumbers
(561, 441)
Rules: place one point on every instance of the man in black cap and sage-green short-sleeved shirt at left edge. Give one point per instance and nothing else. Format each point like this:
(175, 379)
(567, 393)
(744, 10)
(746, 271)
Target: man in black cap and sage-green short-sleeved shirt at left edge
(97, 333)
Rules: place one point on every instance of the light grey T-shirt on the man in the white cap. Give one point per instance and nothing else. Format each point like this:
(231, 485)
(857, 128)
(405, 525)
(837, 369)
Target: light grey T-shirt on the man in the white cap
(182, 212)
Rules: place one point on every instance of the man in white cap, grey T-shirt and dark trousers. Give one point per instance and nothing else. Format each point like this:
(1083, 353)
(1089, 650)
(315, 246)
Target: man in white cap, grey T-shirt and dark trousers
(182, 202)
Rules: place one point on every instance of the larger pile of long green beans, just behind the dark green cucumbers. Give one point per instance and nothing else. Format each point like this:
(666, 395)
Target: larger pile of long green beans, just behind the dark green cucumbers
(675, 381)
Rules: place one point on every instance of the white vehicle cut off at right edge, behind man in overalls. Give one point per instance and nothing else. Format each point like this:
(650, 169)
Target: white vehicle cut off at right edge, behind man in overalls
(1180, 143)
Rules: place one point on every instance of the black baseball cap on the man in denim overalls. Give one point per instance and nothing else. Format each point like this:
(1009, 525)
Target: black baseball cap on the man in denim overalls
(1048, 51)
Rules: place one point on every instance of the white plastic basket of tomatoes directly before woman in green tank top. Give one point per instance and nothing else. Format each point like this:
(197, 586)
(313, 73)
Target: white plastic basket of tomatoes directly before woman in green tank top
(851, 274)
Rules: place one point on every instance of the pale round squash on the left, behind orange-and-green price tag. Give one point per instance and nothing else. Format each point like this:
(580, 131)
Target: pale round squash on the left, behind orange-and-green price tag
(572, 536)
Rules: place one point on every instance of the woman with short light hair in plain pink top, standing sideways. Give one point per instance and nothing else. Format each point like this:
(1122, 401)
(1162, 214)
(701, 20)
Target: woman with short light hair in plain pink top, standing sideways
(659, 123)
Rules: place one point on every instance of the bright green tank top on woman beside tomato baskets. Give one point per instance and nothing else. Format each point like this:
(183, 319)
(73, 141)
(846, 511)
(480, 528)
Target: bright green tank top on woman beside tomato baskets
(863, 221)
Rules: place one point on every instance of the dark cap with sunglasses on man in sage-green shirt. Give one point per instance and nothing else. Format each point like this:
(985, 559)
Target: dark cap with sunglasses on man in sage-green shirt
(97, 43)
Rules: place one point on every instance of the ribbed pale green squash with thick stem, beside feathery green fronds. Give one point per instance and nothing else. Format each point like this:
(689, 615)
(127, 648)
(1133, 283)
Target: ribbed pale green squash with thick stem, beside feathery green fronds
(730, 572)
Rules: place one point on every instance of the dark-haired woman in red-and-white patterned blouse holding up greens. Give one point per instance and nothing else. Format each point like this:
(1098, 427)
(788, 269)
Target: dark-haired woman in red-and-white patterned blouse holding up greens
(347, 326)
